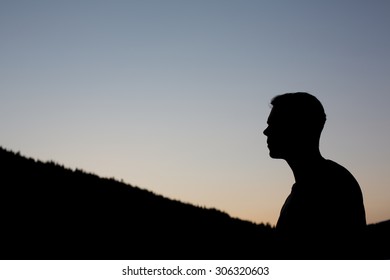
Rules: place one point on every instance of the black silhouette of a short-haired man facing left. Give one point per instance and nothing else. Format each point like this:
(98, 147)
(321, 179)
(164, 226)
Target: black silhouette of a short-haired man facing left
(324, 216)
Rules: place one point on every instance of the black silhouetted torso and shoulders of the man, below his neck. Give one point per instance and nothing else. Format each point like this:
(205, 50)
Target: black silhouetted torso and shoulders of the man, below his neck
(326, 209)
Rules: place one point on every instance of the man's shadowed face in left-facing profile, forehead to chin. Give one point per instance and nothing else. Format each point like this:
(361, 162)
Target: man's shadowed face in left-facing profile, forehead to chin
(282, 136)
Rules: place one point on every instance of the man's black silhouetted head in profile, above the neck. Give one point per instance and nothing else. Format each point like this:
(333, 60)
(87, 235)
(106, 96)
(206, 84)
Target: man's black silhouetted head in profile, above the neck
(294, 125)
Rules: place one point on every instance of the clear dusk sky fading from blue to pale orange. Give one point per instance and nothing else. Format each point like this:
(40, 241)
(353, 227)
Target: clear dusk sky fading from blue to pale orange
(173, 96)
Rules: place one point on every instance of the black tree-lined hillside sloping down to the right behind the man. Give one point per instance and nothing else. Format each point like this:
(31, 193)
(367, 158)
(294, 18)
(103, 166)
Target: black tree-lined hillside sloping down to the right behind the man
(52, 212)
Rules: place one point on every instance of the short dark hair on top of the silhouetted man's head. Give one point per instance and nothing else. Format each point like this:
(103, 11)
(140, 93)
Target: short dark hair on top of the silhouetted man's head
(302, 109)
